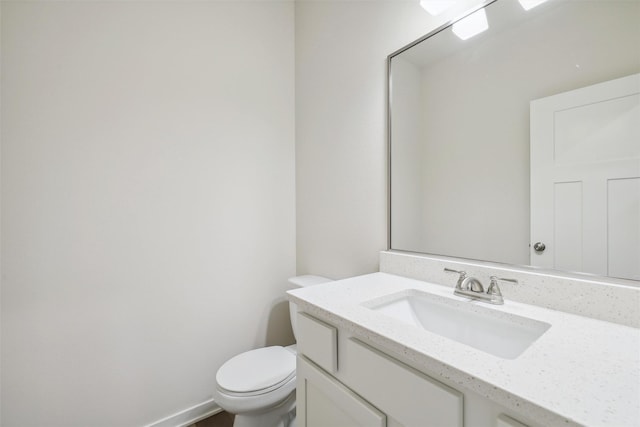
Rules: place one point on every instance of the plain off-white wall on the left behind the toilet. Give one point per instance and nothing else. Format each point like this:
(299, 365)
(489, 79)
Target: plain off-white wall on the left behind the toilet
(147, 202)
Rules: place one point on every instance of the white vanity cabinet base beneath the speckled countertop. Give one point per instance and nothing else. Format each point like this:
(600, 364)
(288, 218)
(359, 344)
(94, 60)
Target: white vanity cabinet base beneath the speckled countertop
(344, 382)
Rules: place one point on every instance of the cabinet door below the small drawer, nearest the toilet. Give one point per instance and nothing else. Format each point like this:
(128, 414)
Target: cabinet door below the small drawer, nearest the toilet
(322, 401)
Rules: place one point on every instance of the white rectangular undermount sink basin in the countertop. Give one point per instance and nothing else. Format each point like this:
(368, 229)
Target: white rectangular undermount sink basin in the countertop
(495, 332)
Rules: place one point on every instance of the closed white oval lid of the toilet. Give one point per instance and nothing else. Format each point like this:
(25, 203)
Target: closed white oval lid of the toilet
(257, 369)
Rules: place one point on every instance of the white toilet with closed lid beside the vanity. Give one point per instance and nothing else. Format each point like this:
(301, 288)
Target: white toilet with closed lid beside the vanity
(258, 386)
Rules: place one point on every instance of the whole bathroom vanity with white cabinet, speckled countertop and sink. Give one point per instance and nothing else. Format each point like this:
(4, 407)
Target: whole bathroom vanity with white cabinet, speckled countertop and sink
(368, 357)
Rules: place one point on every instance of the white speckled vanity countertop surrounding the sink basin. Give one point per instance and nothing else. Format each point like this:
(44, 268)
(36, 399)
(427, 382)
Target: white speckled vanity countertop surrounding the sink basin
(581, 371)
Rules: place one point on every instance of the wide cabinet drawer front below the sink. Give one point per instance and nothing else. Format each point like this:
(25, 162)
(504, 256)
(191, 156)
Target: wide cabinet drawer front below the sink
(398, 390)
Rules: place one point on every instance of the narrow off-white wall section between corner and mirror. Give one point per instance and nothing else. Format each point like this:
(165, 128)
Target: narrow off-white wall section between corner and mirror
(341, 194)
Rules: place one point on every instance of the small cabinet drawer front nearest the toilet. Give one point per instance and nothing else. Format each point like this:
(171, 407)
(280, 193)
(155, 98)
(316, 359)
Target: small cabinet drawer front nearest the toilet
(318, 341)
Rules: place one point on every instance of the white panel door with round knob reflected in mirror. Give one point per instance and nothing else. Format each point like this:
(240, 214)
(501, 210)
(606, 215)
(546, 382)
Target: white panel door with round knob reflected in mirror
(585, 179)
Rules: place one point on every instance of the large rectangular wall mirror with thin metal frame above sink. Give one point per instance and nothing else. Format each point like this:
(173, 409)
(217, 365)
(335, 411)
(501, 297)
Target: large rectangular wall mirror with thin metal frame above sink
(498, 142)
